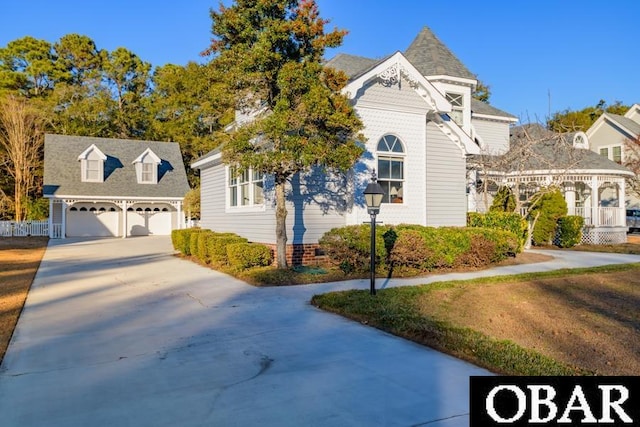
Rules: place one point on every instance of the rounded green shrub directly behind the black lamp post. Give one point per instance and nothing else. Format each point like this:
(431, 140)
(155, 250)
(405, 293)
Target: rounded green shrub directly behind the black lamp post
(350, 247)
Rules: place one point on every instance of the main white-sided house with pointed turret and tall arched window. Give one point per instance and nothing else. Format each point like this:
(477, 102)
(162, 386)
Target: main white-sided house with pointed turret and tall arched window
(420, 124)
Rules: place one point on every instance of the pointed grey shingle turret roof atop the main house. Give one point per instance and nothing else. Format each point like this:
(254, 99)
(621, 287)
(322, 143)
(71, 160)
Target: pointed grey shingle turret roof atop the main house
(432, 58)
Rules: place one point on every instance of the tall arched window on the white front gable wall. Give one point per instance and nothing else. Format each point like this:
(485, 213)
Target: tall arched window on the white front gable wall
(391, 168)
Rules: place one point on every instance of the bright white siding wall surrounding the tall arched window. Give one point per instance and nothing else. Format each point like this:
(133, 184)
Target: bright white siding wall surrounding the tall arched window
(410, 129)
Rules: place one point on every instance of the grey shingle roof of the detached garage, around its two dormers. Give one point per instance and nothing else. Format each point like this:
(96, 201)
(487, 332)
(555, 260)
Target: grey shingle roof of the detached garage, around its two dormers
(62, 173)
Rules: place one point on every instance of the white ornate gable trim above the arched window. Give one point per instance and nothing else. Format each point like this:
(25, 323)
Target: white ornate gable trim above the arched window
(391, 71)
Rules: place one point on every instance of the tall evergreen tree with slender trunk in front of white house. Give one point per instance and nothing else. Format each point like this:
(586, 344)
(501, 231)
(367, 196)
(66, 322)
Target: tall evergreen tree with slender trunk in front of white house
(269, 54)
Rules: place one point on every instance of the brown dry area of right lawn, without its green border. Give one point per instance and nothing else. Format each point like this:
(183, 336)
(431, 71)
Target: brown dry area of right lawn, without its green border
(588, 320)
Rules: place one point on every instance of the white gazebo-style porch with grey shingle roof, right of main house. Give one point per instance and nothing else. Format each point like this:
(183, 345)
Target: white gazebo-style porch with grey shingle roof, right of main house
(593, 186)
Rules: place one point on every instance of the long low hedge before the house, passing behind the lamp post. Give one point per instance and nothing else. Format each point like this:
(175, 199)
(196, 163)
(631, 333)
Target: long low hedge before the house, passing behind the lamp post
(416, 248)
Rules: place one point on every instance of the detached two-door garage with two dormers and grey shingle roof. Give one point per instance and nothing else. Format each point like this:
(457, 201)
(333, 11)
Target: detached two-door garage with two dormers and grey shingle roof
(113, 187)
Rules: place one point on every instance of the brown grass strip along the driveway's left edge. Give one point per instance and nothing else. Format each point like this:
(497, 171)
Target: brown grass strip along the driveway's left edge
(19, 261)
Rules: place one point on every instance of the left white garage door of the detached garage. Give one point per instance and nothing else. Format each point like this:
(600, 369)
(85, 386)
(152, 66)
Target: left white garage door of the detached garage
(90, 221)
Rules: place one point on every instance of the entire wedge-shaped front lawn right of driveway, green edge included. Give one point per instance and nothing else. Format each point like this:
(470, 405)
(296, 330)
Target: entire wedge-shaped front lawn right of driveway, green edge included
(567, 322)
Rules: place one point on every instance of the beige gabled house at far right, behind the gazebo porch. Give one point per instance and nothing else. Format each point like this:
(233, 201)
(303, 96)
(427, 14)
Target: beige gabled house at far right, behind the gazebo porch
(609, 136)
